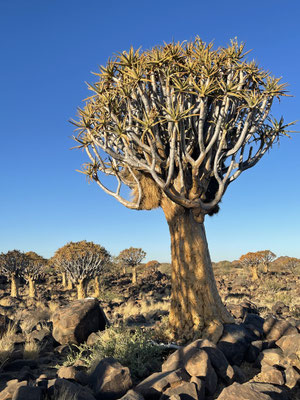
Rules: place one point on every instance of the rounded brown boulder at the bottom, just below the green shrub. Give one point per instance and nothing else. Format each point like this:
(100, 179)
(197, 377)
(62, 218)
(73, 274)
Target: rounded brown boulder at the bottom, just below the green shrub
(110, 380)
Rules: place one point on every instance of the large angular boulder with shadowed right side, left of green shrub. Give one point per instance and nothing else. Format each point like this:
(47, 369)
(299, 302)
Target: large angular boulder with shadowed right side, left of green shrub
(76, 321)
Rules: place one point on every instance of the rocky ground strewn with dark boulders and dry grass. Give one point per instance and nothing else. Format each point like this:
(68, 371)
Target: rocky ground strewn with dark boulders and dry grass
(256, 358)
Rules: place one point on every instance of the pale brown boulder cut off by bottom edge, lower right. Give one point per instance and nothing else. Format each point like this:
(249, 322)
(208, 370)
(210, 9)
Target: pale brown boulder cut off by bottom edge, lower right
(252, 391)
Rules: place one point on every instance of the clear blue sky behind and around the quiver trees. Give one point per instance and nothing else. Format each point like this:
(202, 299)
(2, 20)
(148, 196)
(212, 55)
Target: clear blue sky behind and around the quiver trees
(49, 48)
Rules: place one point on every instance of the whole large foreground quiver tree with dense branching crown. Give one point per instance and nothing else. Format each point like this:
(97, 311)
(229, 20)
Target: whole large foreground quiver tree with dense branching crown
(179, 123)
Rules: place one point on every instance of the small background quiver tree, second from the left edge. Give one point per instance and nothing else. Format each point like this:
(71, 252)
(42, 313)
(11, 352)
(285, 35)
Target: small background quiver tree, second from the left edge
(33, 270)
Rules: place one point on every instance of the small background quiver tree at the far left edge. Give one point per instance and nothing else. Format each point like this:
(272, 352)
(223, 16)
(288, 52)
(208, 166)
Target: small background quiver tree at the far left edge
(12, 264)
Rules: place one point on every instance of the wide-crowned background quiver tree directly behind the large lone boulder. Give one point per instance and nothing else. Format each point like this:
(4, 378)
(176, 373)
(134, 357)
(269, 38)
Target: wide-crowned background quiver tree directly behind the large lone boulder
(82, 261)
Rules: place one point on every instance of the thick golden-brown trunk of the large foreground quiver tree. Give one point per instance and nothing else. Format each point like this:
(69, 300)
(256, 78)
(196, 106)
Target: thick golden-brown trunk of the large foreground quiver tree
(196, 307)
